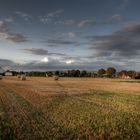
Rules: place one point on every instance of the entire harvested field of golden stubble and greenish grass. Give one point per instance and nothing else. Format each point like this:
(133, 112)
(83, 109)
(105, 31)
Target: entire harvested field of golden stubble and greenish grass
(71, 108)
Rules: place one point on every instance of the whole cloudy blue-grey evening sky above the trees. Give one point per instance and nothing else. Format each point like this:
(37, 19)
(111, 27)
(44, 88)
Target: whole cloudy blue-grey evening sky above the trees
(69, 34)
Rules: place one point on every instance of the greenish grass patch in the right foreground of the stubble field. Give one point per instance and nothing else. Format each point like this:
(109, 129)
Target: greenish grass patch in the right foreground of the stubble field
(103, 119)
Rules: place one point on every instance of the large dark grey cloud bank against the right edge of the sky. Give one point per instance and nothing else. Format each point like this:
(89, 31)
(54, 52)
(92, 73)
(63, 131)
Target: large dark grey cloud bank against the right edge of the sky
(124, 43)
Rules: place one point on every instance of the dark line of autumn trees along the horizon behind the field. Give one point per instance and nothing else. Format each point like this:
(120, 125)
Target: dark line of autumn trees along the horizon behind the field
(110, 72)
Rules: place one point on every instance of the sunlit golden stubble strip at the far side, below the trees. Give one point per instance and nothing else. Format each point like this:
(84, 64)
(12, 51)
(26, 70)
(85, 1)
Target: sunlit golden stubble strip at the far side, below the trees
(80, 85)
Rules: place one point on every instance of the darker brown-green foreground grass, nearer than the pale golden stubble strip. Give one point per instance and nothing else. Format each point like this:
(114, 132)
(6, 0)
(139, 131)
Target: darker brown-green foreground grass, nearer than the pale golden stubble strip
(99, 115)
